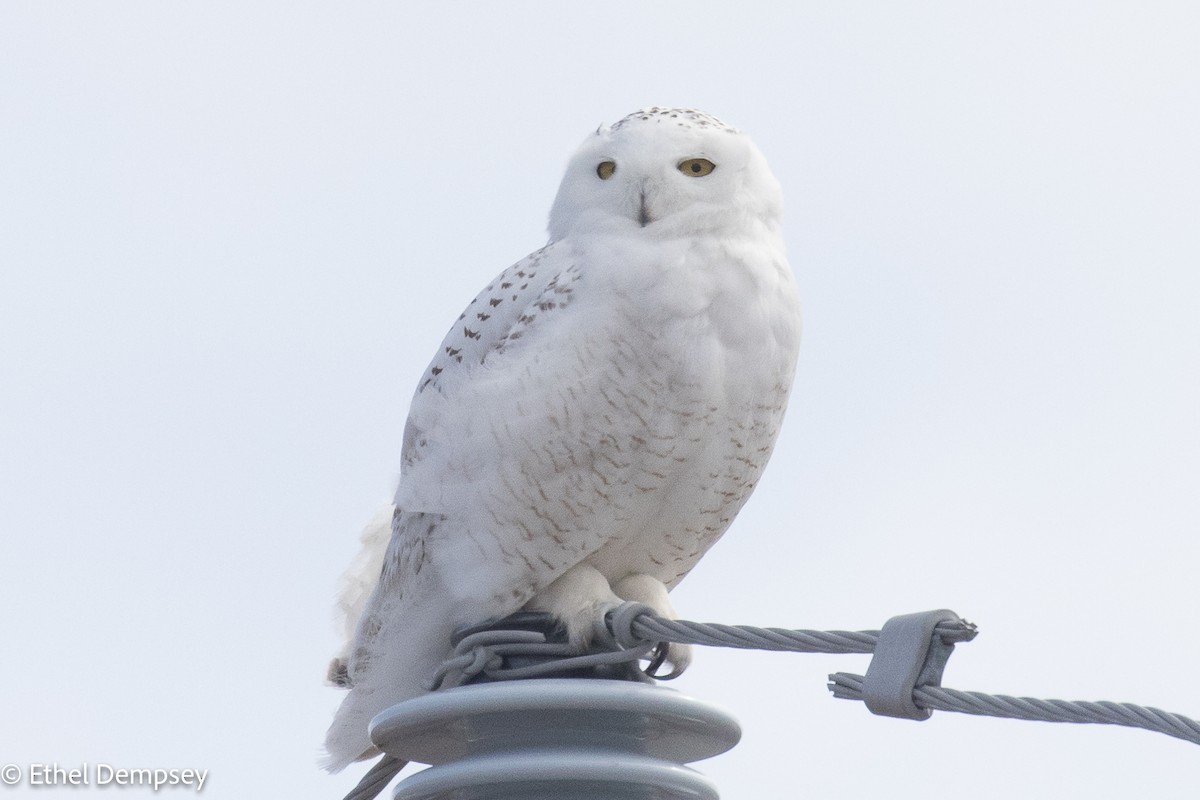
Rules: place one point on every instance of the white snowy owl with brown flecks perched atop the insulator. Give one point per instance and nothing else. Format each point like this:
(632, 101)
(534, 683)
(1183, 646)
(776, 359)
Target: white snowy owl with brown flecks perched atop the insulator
(595, 419)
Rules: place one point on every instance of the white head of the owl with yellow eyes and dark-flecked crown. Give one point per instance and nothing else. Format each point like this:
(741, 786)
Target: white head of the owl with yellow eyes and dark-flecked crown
(665, 173)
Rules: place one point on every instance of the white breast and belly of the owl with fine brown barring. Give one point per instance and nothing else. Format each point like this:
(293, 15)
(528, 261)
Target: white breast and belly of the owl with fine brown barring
(668, 406)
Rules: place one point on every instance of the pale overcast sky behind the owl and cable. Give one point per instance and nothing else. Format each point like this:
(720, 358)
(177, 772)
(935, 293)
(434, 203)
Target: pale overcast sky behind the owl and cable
(233, 234)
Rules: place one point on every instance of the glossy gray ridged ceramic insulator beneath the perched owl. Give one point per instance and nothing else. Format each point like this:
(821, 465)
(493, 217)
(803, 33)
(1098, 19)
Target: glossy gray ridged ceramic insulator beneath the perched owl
(555, 739)
